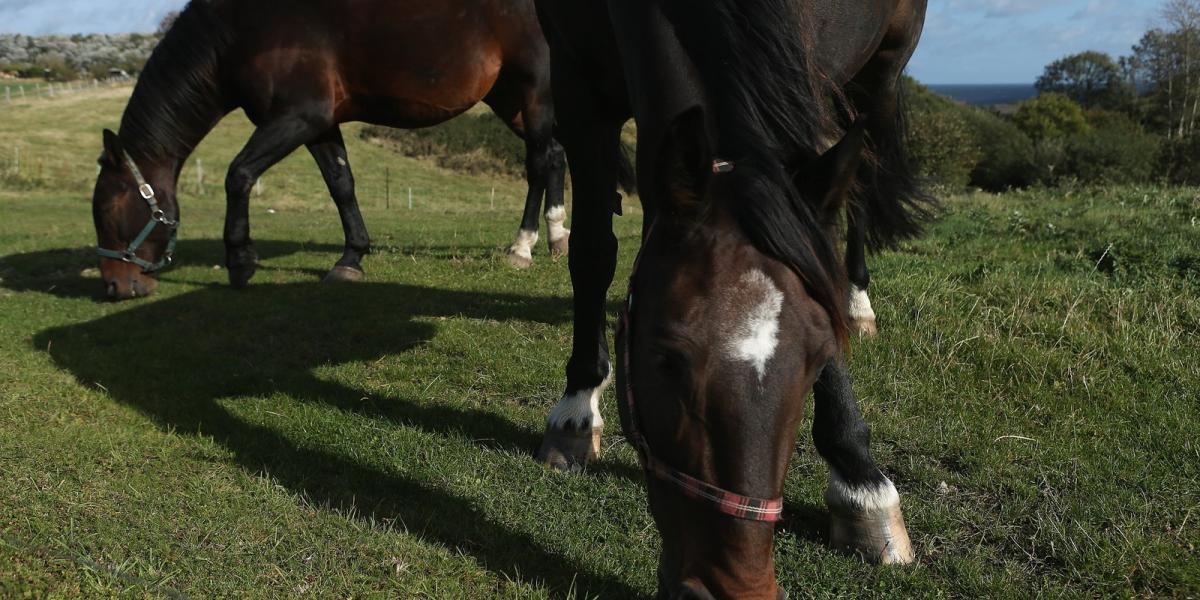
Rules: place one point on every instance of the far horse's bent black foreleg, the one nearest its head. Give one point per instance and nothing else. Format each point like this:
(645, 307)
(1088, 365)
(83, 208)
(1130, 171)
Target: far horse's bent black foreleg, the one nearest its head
(268, 146)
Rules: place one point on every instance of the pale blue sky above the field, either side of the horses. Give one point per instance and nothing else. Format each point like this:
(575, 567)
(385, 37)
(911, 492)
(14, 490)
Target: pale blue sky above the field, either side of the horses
(965, 41)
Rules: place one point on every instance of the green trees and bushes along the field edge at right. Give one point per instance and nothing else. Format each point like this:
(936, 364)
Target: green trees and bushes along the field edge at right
(1097, 119)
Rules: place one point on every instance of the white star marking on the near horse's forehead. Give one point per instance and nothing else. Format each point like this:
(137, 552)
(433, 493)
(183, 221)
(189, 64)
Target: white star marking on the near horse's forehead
(755, 339)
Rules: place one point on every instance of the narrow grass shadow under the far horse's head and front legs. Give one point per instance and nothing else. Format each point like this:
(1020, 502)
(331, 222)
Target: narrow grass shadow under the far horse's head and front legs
(61, 272)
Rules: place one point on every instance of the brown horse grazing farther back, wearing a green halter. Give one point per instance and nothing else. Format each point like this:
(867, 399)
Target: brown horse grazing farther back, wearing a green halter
(299, 70)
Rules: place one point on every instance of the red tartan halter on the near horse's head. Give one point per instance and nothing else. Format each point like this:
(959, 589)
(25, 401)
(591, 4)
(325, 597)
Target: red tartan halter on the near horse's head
(723, 501)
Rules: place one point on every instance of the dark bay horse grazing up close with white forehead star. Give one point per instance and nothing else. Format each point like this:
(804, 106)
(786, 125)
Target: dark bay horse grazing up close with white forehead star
(763, 125)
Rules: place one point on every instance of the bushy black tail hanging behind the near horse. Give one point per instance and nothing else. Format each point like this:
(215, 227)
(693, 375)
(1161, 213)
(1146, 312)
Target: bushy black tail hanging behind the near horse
(891, 201)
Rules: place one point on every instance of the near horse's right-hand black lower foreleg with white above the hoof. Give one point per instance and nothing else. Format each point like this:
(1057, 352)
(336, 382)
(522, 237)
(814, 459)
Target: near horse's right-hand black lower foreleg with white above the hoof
(865, 506)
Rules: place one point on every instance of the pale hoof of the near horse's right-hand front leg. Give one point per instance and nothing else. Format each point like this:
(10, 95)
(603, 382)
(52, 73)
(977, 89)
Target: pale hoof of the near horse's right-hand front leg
(878, 537)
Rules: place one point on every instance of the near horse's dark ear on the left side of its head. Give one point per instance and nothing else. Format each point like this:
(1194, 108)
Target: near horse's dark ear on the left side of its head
(686, 164)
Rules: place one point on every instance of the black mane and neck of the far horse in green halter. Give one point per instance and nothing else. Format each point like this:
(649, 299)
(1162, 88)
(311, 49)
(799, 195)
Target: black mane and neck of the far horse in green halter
(177, 100)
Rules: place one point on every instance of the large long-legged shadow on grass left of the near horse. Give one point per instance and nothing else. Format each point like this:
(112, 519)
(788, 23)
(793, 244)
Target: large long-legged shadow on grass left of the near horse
(176, 358)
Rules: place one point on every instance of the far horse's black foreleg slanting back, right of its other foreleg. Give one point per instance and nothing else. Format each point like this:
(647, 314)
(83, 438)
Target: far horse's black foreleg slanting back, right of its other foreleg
(329, 152)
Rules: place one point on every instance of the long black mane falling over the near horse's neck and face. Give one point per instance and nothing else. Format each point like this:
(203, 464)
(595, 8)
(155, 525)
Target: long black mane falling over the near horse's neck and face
(773, 109)
